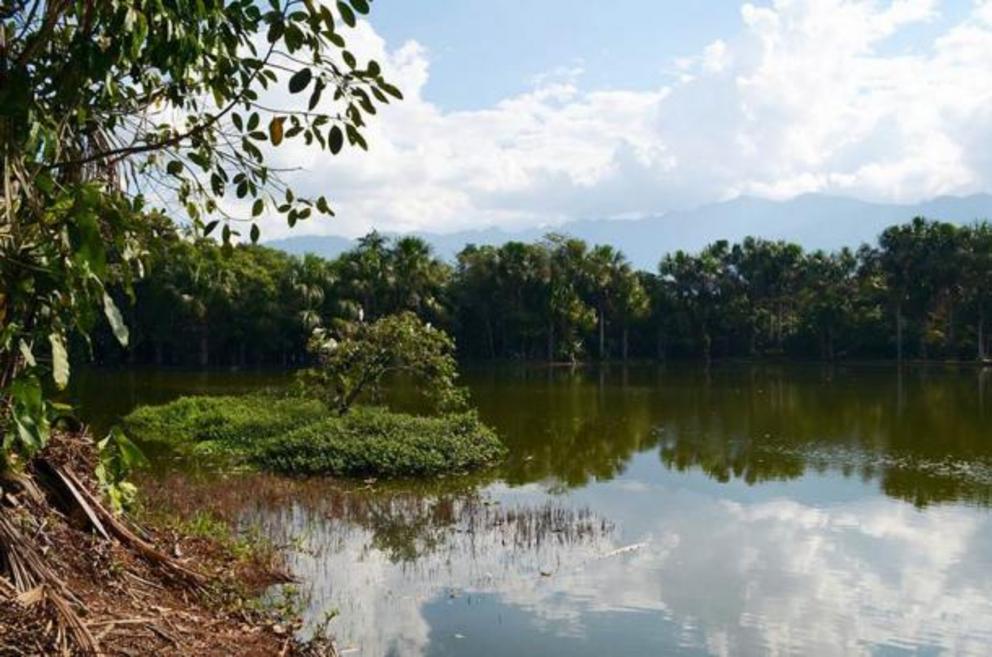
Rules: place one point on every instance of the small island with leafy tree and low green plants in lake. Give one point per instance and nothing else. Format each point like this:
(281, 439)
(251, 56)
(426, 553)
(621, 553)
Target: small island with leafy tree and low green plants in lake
(316, 429)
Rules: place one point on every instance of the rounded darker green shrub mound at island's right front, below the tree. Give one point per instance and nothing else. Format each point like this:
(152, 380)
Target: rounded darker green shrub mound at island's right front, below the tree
(374, 441)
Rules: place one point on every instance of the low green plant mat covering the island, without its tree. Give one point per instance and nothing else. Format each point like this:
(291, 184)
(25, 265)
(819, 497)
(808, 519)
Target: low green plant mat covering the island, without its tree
(298, 436)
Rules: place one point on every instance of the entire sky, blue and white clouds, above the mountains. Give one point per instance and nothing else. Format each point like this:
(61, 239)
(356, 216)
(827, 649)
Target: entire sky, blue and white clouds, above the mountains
(521, 114)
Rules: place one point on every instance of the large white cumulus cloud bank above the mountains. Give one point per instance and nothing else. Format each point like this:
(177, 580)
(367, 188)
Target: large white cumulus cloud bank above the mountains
(806, 97)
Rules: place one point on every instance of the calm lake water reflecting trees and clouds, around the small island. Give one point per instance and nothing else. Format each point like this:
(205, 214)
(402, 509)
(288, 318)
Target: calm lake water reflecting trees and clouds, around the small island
(655, 511)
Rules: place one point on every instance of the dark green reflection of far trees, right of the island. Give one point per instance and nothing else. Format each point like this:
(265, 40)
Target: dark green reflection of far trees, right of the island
(921, 432)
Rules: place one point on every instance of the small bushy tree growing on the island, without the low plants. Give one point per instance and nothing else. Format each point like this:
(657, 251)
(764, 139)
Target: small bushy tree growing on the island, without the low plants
(356, 358)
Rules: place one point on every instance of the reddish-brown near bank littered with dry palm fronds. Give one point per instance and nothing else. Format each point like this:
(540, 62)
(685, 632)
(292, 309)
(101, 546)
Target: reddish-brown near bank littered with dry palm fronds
(161, 585)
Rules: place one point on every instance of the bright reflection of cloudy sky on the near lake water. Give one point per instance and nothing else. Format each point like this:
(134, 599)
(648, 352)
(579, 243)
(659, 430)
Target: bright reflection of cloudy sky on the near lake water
(769, 577)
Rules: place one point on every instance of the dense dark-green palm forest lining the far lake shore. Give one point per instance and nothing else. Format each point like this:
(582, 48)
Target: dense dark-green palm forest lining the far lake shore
(923, 291)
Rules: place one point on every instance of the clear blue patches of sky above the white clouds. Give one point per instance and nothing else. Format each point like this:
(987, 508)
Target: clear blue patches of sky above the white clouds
(484, 51)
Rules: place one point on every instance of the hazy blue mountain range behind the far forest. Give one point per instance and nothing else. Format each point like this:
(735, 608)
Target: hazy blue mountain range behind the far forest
(813, 220)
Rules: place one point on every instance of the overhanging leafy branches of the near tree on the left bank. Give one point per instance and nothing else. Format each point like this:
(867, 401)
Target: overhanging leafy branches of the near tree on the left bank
(102, 102)
